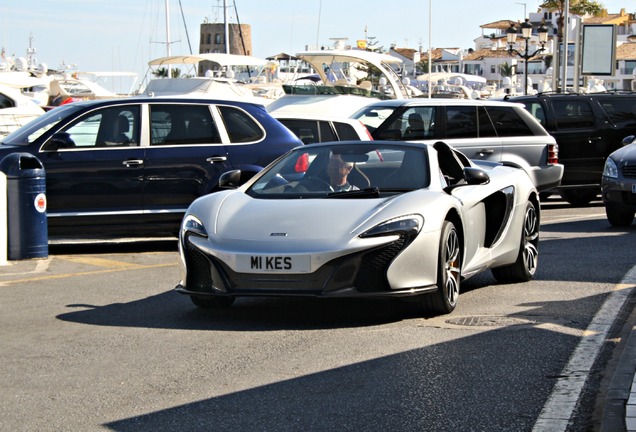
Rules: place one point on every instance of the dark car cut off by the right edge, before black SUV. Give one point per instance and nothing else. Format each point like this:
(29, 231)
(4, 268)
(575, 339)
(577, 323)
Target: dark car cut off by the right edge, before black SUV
(619, 184)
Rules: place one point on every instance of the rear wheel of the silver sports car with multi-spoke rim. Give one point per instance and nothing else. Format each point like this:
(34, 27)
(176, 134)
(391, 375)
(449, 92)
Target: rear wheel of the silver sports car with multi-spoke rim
(525, 267)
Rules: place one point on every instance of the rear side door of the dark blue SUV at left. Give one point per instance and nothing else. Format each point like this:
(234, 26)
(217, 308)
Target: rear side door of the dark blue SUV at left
(184, 159)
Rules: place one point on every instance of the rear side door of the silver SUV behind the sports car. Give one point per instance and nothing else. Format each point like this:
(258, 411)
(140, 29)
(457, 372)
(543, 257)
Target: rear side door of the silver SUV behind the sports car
(469, 129)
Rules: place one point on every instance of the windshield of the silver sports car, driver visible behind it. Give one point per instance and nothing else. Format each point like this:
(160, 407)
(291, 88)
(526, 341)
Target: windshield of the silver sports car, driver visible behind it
(344, 171)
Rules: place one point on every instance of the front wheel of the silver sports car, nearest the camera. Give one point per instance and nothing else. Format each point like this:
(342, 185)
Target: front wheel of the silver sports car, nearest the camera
(444, 300)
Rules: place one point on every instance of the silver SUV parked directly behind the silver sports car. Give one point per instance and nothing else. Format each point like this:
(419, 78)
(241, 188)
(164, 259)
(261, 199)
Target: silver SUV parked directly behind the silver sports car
(482, 130)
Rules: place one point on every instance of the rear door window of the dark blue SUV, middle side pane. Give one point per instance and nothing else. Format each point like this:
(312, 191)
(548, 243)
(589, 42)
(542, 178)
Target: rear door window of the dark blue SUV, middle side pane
(182, 124)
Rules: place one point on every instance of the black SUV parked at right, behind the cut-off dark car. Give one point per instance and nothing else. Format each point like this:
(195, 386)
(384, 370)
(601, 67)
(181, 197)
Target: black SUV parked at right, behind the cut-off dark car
(587, 128)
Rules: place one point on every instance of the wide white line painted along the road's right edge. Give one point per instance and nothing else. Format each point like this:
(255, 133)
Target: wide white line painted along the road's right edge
(557, 412)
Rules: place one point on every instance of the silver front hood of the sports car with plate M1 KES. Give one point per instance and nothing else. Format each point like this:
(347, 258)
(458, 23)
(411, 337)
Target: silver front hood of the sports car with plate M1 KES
(236, 221)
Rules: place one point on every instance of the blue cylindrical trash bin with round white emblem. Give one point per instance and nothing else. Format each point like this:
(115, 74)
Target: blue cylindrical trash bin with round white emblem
(27, 230)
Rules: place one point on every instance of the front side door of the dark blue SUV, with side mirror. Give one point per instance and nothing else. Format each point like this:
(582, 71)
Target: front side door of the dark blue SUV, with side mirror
(96, 178)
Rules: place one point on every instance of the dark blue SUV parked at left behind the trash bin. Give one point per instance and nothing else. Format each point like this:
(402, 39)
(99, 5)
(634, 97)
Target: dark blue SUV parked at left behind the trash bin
(131, 166)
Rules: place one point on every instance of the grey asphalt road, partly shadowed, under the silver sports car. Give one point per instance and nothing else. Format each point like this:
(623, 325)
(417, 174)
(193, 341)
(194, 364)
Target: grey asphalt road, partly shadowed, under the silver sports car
(94, 338)
